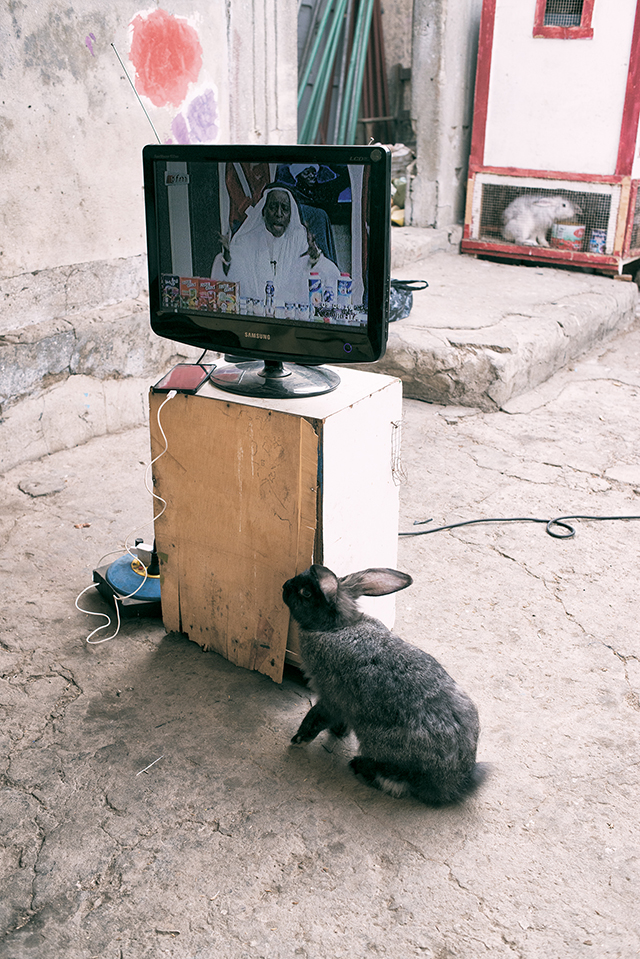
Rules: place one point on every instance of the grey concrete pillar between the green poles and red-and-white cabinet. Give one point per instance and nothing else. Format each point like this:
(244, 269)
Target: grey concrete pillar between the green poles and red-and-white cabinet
(445, 45)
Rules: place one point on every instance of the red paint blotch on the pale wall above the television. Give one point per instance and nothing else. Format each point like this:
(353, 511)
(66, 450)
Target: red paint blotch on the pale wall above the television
(167, 55)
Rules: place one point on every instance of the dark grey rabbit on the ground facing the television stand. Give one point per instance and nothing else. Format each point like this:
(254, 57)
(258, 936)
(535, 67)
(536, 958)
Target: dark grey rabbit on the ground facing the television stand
(417, 730)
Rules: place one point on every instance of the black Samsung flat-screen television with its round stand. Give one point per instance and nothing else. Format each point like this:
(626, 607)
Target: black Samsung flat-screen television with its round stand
(276, 256)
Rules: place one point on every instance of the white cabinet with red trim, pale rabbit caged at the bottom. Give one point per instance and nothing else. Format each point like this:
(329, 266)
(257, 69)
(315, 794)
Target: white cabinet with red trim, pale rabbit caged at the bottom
(554, 169)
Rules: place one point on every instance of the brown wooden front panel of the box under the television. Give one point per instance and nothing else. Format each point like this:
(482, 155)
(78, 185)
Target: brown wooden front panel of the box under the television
(240, 483)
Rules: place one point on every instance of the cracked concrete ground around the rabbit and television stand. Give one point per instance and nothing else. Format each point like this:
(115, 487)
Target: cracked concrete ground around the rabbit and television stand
(232, 845)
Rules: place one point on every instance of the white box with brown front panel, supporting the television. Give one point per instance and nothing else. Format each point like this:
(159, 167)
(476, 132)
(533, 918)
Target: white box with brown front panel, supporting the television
(256, 491)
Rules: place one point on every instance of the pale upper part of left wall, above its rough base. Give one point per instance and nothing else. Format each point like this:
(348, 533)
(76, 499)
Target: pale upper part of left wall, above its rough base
(73, 130)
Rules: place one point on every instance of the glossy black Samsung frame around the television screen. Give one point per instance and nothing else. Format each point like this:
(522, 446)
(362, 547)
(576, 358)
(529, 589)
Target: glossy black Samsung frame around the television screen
(266, 338)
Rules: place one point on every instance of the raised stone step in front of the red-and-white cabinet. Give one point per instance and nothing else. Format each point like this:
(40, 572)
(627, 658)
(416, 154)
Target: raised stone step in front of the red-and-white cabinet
(485, 332)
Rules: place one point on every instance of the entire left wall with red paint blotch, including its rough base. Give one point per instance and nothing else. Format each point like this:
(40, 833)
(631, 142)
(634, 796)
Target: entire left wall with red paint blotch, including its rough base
(72, 241)
